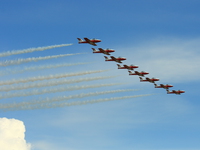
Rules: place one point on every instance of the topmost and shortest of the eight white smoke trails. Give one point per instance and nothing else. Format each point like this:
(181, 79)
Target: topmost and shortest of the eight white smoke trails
(30, 50)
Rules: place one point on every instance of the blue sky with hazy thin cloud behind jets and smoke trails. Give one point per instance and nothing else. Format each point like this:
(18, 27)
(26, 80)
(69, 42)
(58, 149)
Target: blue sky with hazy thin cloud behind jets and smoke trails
(161, 37)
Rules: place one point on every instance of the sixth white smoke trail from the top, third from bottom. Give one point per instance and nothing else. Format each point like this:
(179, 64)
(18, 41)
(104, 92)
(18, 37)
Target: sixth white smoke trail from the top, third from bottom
(53, 90)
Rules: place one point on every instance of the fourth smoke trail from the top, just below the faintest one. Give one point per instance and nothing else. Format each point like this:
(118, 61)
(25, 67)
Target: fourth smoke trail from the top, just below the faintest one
(32, 79)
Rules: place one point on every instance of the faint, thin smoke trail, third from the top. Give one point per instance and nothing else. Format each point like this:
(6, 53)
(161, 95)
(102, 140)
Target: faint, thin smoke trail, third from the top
(34, 68)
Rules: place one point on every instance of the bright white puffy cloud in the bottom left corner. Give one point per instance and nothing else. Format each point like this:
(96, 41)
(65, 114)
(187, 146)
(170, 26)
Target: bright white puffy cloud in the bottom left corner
(12, 135)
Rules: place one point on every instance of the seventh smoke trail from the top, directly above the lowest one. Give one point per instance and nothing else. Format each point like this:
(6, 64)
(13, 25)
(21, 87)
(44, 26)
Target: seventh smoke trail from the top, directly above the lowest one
(61, 98)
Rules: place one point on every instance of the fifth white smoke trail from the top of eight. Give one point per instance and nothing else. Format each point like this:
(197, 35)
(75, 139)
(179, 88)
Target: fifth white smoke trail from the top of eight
(51, 83)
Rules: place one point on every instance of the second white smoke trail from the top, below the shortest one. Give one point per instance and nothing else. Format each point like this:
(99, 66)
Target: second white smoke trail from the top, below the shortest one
(26, 60)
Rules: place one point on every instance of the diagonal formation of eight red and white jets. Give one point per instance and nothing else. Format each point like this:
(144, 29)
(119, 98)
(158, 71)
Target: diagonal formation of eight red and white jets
(131, 67)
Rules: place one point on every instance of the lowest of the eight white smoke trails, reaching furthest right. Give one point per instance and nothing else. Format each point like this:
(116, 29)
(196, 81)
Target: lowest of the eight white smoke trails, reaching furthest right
(13, 107)
